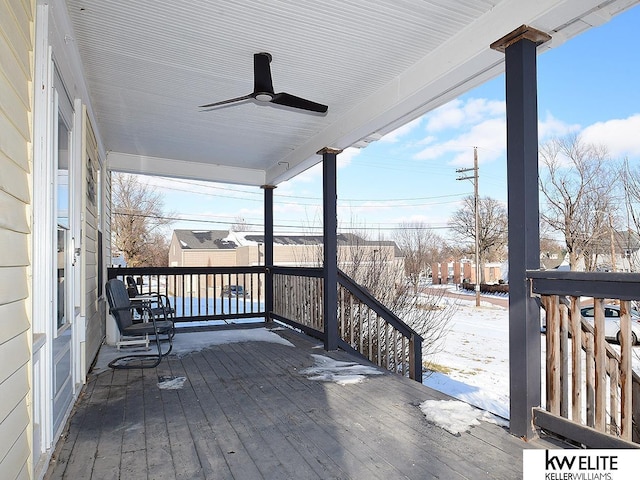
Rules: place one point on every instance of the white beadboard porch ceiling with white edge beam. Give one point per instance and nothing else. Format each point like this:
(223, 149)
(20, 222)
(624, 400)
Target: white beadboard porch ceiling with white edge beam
(377, 64)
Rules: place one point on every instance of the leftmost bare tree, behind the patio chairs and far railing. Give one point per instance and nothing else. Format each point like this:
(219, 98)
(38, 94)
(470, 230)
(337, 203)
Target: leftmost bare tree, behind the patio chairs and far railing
(138, 222)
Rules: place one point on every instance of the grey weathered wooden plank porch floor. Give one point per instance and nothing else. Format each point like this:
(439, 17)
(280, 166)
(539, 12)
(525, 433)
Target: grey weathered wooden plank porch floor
(245, 412)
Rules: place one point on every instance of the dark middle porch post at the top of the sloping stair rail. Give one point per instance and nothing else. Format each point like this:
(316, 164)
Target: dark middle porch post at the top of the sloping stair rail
(330, 233)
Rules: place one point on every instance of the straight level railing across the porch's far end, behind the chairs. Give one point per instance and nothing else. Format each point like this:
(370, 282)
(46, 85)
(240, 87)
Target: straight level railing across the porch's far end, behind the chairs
(198, 293)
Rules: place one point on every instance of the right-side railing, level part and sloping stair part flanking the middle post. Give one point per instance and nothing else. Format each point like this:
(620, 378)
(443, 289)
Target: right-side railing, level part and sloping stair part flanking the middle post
(365, 326)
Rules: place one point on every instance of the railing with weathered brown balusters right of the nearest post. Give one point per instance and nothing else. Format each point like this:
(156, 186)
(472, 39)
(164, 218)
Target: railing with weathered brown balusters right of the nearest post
(590, 385)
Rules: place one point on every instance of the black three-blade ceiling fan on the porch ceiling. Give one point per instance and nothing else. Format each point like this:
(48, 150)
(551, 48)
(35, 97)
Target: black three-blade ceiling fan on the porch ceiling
(263, 89)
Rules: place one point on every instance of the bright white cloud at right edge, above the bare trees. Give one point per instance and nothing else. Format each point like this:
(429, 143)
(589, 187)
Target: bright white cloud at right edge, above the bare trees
(621, 136)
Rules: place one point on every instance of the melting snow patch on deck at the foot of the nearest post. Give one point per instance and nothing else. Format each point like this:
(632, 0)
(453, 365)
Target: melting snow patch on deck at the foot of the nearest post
(455, 416)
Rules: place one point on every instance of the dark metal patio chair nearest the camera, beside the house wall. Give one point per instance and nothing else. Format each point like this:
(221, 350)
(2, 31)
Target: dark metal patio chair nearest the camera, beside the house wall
(155, 323)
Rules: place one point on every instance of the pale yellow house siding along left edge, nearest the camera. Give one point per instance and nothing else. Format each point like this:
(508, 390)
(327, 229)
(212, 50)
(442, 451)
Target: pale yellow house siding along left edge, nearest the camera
(16, 75)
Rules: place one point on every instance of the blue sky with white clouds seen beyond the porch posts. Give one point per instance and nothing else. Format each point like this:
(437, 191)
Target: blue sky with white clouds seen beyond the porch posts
(588, 86)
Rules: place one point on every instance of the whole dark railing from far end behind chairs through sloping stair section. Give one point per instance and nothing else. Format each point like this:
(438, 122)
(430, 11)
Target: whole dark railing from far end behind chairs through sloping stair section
(365, 326)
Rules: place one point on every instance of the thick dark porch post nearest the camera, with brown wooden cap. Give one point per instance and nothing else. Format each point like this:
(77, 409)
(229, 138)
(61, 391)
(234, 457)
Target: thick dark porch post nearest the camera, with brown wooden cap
(524, 239)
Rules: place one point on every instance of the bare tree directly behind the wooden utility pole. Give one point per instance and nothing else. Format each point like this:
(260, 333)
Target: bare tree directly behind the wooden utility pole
(492, 229)
